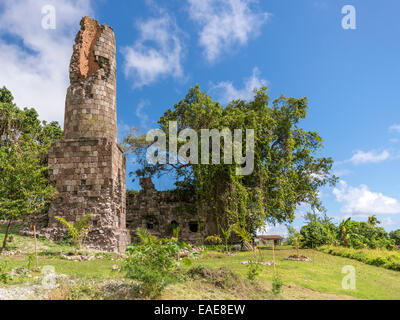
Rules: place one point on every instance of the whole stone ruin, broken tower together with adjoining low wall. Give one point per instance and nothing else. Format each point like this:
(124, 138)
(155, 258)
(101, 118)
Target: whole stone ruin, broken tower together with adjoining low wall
(87, 166)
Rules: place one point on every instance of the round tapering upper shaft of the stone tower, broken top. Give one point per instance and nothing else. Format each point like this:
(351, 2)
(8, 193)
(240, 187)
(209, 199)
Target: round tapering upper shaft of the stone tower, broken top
(90, 107)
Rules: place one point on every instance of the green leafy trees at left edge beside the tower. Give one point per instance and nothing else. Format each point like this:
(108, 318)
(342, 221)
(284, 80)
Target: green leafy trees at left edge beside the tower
(24, 187)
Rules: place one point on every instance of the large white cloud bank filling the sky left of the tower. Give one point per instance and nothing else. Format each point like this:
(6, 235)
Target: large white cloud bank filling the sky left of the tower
(34, 60)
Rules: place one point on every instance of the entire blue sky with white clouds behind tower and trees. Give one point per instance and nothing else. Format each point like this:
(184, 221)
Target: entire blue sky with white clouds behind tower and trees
(297, 48)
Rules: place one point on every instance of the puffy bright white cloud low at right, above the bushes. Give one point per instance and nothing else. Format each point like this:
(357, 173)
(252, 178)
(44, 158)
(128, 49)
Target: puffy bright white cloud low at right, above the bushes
(360, 201)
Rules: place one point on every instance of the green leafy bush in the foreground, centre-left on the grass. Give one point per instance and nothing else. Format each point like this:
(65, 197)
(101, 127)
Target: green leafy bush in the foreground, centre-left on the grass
(153, 262)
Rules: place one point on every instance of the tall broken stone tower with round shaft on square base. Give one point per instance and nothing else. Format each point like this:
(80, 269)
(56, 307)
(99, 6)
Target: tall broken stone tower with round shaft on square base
(87, 167)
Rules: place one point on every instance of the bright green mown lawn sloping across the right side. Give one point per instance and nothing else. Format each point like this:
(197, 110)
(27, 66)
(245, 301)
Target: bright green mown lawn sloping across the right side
(323, 275)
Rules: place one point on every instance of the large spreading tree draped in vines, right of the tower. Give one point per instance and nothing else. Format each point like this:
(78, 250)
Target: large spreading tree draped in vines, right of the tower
(287, 171)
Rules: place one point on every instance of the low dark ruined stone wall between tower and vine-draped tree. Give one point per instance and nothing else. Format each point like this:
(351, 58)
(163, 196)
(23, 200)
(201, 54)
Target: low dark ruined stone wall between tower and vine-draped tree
(157, 211)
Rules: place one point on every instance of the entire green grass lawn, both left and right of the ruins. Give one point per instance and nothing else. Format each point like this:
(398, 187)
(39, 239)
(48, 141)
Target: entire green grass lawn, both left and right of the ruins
(320, 279)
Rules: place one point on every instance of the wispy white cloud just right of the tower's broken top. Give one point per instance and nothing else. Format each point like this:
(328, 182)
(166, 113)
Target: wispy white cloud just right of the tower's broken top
(146, 63)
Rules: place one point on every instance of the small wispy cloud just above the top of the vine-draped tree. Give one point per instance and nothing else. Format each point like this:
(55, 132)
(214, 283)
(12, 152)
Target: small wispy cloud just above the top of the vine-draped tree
(226, 92)
